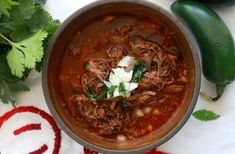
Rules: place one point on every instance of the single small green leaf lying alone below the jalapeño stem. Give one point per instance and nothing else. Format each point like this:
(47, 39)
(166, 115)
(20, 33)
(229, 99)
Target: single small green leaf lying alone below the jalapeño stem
(205, 115)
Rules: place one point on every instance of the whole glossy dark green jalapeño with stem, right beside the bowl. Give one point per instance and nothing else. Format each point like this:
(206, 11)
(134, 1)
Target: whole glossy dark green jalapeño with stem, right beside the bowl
(215, 41)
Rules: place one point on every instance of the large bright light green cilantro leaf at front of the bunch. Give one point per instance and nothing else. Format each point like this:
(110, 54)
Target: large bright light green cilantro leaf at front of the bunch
(26, 53)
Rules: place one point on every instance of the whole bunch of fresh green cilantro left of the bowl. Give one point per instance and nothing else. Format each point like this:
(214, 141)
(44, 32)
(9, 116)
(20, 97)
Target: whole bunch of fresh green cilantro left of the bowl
(25, 29)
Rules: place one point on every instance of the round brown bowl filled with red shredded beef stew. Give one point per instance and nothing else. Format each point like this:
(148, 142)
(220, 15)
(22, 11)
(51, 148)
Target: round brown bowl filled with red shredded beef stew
(121, 76)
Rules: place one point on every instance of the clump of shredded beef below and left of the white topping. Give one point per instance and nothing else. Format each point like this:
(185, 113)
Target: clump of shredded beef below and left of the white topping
(103, 116)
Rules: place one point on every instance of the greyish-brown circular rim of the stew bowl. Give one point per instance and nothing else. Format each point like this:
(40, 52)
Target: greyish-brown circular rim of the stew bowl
(188, 36)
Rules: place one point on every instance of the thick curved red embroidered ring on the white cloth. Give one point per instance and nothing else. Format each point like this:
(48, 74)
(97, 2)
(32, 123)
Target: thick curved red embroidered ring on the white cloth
(44, 115)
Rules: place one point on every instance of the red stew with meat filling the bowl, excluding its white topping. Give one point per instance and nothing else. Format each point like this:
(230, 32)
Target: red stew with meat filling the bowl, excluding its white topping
(97, 48)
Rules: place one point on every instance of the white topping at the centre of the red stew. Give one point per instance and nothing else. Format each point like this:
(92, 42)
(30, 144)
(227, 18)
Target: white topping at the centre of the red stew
(122, 75)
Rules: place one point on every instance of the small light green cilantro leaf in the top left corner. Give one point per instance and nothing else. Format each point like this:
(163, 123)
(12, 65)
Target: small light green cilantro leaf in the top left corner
(5, 5)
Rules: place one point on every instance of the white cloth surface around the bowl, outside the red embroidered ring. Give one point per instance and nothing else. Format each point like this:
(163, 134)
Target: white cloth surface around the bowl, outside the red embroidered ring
(195, 137)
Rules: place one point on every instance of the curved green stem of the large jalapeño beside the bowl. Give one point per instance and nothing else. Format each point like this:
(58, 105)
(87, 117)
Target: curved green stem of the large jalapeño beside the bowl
(219, 91)
